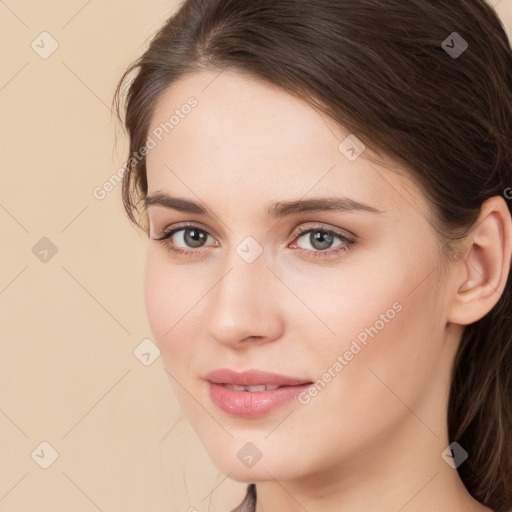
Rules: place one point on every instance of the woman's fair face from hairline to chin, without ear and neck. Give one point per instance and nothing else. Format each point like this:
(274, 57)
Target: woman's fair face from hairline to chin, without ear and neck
(347, 298)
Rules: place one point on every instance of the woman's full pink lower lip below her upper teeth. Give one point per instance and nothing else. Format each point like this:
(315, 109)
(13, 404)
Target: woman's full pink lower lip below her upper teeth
(252, 404)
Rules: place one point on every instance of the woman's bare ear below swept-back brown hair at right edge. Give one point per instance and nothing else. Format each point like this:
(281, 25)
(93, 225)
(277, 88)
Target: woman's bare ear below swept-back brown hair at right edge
(480, 275)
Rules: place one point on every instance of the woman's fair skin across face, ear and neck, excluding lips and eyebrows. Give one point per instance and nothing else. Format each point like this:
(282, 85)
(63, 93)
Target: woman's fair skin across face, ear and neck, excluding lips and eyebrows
(372, 438)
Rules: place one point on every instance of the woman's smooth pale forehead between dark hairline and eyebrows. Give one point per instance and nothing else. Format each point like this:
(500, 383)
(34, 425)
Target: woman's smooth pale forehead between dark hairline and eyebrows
(247, 138)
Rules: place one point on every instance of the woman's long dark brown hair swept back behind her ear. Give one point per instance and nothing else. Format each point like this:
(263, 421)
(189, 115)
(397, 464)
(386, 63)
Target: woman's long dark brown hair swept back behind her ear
(395, 74)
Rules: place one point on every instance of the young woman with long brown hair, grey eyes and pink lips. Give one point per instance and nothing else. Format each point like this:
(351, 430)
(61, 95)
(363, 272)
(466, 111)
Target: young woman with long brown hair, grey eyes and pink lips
(324, 188)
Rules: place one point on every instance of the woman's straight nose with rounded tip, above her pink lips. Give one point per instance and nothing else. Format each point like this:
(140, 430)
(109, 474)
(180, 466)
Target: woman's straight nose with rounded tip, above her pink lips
(244, 306)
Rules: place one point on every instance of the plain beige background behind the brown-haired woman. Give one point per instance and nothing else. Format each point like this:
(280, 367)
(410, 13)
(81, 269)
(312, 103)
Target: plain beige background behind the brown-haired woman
(72, 320)
